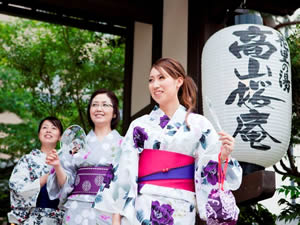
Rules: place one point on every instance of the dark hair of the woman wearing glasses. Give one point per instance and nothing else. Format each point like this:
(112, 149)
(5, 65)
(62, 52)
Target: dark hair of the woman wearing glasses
(115, 120)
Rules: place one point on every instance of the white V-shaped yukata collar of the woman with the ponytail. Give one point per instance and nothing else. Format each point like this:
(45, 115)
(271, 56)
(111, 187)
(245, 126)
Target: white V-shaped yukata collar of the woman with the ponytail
(158, 115)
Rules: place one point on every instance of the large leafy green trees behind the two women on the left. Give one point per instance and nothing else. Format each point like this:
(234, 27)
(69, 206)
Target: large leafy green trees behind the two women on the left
(48, 69)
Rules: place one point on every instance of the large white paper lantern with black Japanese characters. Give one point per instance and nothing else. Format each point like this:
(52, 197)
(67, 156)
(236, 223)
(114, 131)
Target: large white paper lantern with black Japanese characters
(247, 77)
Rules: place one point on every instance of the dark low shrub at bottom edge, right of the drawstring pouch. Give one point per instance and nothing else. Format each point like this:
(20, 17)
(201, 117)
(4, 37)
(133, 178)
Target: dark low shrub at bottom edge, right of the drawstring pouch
(255, 214)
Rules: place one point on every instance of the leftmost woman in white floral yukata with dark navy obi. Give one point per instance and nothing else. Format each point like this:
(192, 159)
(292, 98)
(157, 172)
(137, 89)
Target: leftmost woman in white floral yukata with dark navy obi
(30, 202)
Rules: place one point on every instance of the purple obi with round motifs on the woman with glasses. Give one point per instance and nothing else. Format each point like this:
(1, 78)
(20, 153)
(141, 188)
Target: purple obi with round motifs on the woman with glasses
(90, 179)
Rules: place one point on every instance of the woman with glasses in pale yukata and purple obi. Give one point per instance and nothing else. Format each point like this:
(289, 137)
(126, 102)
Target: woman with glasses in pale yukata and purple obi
(77, 177)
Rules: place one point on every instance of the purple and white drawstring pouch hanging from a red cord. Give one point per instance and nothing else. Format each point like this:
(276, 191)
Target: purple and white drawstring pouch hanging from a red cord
(221, 208)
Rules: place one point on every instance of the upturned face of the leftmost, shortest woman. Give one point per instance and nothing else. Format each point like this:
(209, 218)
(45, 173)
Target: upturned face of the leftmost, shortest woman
(48, 133)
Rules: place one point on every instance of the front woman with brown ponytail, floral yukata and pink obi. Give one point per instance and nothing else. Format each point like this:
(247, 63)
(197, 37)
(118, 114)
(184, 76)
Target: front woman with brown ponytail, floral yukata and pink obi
(169, 159)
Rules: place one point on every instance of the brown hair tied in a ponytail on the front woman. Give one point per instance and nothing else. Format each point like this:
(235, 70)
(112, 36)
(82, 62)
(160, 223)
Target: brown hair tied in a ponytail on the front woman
(187, 93)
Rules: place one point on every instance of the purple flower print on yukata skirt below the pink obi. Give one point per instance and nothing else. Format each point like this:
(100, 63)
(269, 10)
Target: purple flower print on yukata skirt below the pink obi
(161, 214)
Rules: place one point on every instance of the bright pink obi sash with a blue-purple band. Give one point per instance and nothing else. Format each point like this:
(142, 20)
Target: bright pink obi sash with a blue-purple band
(168, 169)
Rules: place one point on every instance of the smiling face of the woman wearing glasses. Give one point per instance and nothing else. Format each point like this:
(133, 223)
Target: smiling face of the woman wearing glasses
(101, 110)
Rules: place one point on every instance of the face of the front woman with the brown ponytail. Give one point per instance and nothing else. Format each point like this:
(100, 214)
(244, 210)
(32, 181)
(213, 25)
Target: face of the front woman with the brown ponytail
(163, 88)
